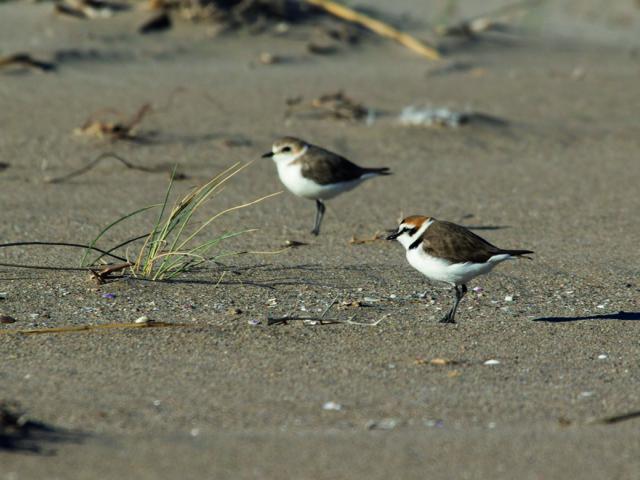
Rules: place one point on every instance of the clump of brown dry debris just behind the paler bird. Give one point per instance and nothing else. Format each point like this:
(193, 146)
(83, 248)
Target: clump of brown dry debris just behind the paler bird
(330, 105)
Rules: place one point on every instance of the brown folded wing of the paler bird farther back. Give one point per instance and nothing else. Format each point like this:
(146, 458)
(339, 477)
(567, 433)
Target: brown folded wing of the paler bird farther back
(326, 167)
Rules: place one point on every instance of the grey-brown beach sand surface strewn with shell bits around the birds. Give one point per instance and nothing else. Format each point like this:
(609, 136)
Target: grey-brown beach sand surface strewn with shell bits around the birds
(222, 398)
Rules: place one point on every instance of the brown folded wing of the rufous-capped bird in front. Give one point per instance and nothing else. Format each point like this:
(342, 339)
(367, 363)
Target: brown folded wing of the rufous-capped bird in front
(457, 244)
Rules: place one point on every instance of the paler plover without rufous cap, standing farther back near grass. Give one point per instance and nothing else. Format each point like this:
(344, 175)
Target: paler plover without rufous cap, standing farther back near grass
(312, 172)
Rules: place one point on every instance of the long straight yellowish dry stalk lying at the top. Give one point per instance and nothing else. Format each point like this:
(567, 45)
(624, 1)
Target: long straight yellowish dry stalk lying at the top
(378, 27)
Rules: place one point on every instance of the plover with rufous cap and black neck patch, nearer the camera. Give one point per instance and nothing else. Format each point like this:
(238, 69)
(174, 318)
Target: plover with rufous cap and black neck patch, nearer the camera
(450, 253)
